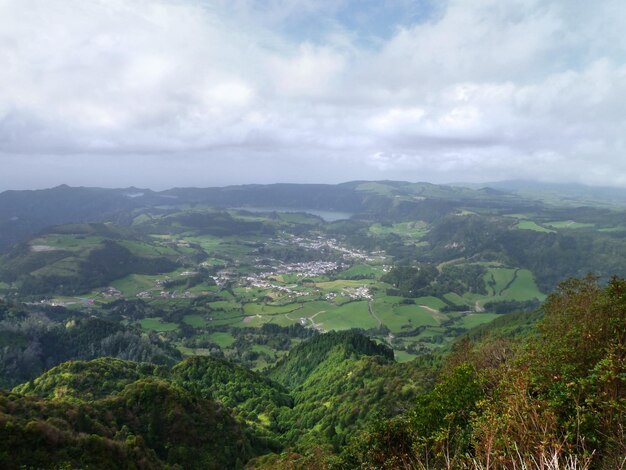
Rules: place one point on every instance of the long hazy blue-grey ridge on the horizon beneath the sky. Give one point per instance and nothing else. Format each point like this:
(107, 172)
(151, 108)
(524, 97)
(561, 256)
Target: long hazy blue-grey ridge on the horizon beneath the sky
(25, 213)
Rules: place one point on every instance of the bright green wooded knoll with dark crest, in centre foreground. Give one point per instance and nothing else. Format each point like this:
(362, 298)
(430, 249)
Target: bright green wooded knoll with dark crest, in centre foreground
(340, 382)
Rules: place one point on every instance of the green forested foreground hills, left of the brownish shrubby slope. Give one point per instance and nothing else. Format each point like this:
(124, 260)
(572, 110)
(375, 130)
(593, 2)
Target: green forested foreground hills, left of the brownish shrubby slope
(202, 413)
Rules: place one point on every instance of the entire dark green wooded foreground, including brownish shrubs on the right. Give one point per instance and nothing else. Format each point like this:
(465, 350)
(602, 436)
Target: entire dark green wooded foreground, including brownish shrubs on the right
(517, 392)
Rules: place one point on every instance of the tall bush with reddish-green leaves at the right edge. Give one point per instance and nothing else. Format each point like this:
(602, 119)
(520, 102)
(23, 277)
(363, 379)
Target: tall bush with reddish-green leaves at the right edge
(581, 365)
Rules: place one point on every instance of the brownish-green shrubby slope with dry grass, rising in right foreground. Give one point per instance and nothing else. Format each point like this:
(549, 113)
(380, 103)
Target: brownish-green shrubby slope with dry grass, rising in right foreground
(558, 399)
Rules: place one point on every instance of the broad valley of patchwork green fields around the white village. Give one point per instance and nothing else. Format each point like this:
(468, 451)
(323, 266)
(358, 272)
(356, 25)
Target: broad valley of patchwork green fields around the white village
(208, 280)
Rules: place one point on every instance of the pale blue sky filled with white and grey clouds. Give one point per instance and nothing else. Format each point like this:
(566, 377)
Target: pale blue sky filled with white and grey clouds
(166, 93)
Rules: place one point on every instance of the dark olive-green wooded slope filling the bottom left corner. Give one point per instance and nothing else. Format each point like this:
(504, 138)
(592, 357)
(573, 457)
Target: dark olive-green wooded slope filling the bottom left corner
(150, 424)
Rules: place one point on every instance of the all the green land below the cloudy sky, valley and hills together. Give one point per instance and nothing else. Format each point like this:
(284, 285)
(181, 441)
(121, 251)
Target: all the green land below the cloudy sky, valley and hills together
(186, 328)
